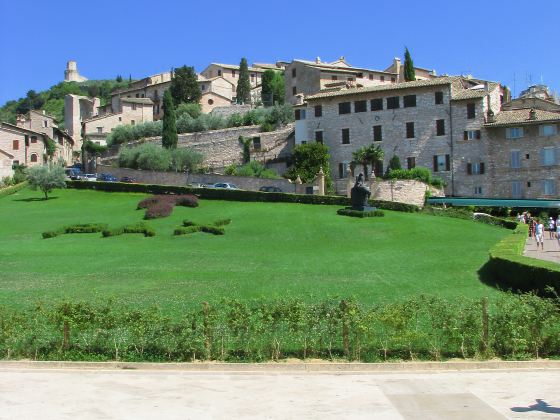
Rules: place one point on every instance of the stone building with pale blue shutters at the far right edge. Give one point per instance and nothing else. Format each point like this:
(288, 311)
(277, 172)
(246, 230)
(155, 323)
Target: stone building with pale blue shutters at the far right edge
(524, 153)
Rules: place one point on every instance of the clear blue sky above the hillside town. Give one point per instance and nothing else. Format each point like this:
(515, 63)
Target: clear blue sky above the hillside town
(492, 39)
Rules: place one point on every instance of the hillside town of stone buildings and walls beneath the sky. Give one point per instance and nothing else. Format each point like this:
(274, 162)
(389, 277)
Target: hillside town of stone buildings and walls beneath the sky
(466, 131)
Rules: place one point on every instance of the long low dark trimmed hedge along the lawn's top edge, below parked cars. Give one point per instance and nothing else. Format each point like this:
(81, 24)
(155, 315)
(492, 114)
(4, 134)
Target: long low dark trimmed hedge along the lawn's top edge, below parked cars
(235, 195)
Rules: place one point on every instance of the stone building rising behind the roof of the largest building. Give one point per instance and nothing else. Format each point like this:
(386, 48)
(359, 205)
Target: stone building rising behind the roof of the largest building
(305, 77)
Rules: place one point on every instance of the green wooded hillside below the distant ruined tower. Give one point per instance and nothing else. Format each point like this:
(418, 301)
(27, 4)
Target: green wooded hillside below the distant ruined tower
(52, 100)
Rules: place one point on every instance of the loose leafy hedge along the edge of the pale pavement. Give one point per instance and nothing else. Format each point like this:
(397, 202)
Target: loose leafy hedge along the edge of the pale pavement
(427, 328)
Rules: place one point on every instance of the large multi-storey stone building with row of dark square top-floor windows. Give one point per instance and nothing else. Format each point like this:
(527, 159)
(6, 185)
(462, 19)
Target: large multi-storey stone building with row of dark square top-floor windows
(438, 123)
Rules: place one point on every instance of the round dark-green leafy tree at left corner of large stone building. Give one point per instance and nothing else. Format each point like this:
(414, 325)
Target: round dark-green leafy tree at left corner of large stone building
(307, 160)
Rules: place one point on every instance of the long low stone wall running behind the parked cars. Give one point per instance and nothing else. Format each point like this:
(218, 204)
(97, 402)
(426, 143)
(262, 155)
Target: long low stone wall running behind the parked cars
(173, 178)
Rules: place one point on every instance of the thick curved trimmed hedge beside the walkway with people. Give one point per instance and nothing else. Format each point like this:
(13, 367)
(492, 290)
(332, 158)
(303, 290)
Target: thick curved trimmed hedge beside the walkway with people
(513, 270)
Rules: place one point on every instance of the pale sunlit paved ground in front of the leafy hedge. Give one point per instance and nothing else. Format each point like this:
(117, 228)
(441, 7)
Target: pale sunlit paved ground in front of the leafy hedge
(29, 393)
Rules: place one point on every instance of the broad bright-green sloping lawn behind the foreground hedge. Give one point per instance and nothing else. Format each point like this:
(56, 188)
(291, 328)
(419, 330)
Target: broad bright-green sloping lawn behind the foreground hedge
(269, 250)
